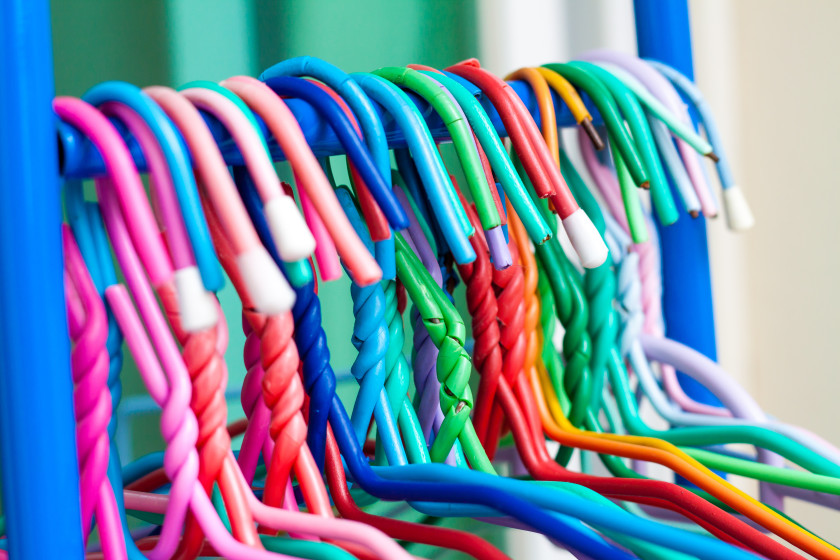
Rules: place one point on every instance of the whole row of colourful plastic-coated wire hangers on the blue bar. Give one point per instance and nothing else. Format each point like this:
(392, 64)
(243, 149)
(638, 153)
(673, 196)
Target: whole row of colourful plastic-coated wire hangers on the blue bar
(567, 334)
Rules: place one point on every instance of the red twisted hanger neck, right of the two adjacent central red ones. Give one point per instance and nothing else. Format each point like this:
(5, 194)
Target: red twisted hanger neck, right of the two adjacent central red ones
(509, 285)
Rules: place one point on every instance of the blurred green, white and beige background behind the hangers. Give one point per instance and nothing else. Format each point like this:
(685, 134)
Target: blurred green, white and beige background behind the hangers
(775, 314)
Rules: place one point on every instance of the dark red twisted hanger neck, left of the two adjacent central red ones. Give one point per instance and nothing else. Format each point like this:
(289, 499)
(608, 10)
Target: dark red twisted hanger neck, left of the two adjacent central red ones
(487, 354)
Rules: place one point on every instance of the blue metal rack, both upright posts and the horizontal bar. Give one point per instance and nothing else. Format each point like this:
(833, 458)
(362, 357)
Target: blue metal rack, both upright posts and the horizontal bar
(39, 465)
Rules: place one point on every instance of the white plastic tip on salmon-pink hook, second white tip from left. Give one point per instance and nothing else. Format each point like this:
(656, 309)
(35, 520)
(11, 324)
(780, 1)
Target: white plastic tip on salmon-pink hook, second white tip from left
(268, 289)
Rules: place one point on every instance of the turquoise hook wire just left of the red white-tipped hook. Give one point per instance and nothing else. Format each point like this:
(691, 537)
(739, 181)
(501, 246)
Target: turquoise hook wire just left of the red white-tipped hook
(497, 156)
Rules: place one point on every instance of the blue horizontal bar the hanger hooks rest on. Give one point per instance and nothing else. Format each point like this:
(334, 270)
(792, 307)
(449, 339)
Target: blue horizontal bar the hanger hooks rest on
(82, 160)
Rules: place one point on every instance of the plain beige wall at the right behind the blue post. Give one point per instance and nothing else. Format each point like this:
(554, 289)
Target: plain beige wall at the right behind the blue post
(771, 70)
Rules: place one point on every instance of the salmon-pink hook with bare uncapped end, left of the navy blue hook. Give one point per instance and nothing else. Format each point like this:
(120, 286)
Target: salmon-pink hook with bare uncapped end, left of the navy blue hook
(290, 137)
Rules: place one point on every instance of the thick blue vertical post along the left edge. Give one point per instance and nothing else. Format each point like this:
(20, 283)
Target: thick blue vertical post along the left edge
(37, 435)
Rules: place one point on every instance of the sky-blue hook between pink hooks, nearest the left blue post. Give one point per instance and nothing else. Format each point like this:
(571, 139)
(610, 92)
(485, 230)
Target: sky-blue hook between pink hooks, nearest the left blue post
(177, 159)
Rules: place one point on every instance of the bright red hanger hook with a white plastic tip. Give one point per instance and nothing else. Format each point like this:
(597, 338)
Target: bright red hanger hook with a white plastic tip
(551, 182)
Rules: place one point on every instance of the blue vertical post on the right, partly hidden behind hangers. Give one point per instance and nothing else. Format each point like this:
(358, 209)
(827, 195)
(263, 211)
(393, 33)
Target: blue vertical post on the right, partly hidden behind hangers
(663, 33)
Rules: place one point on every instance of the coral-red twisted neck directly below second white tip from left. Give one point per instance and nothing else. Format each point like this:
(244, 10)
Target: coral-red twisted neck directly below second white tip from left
(282, 391)
